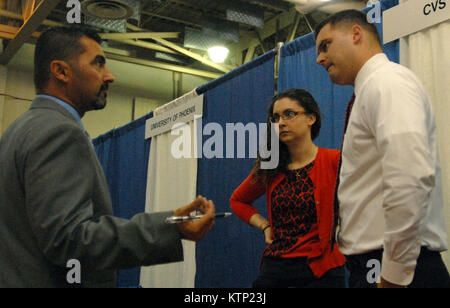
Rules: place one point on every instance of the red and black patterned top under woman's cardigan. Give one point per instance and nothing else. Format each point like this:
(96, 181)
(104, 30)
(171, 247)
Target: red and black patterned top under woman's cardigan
(294, 216)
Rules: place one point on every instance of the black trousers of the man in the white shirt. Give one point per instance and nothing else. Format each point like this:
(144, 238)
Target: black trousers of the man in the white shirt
(430, 270)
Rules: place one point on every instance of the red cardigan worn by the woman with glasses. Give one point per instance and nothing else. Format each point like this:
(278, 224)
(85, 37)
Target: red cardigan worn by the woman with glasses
(323, 175)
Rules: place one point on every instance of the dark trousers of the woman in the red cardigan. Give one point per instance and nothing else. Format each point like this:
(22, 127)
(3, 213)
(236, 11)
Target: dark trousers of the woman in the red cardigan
(296, 273)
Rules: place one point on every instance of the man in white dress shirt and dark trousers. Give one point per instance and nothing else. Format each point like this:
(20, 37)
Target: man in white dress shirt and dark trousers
(390, 198)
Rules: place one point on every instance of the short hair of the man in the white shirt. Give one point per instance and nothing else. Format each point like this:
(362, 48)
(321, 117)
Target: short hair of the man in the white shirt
(351, 17)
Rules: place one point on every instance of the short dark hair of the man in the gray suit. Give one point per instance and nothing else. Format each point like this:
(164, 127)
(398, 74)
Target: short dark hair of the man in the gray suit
(58, 43)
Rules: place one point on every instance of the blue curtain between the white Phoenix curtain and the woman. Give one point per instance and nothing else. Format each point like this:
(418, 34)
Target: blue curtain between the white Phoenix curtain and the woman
(229, 255)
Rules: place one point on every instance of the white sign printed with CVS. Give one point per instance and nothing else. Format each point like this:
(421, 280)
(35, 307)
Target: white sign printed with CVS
(413, 16)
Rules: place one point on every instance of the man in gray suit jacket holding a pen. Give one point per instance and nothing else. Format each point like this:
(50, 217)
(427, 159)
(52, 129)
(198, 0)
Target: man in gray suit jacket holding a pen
(55, 205)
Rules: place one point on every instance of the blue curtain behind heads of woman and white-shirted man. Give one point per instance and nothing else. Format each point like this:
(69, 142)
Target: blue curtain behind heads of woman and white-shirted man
(298, 69)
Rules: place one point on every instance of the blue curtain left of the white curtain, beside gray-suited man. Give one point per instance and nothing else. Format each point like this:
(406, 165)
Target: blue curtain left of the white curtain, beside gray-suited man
(124, 153)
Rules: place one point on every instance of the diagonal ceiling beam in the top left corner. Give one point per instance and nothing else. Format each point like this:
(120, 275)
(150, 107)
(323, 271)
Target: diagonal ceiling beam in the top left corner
(30, 25)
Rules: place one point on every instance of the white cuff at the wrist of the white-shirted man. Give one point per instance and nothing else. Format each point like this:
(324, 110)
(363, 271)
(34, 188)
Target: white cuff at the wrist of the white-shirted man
(397, 273)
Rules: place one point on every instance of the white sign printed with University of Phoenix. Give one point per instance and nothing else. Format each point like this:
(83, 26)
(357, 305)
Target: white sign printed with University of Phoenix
(181, 114)
